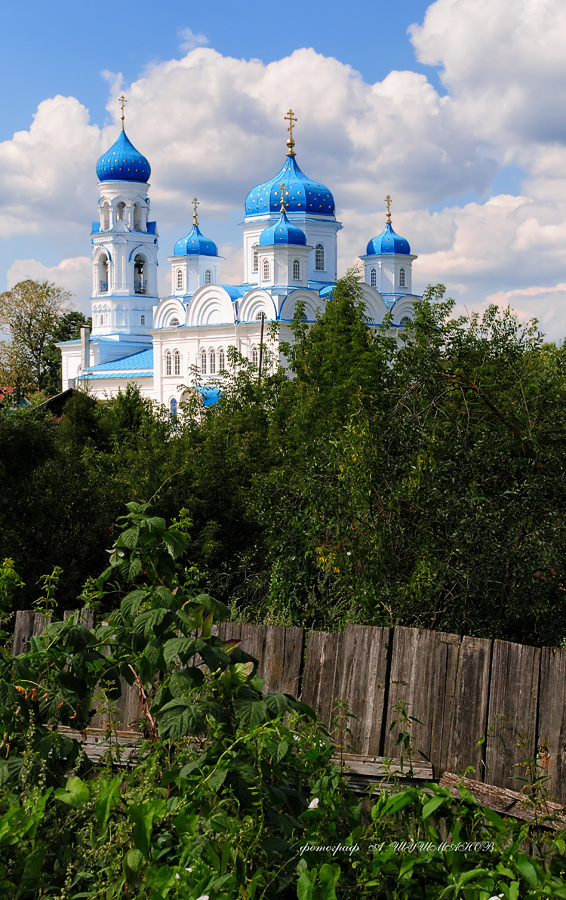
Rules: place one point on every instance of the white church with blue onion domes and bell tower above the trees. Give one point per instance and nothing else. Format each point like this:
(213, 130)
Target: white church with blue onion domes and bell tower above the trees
(290, 256)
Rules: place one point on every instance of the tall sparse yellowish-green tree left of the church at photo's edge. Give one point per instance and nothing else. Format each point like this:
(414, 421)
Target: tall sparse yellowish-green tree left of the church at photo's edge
(29, 316)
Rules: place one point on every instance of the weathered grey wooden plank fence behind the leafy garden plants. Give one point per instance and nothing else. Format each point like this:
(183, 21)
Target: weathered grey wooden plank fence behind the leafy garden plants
(476, 699)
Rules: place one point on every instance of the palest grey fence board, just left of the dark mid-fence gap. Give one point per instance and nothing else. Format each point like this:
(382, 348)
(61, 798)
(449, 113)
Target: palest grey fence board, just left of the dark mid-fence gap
(361, 670)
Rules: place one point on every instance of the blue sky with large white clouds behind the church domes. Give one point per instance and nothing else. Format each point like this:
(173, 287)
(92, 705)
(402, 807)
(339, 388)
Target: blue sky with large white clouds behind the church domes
(450, 106)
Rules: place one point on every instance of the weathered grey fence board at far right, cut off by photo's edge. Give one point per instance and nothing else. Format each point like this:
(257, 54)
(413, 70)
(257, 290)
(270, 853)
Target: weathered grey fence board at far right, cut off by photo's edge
(552, 719)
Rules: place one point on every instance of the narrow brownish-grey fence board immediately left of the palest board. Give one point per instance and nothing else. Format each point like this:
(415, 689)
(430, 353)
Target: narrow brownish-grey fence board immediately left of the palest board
(321, 657)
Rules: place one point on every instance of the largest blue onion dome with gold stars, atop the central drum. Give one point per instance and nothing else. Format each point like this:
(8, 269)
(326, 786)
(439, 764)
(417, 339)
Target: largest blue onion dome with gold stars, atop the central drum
(301, 193)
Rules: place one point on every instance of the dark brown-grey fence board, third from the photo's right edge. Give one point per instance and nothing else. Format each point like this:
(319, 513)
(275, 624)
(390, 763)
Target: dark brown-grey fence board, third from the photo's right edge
(468, 721)
